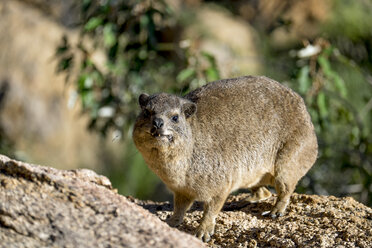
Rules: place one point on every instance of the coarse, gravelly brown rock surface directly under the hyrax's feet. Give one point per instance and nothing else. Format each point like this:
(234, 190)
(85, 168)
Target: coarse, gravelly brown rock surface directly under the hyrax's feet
(311, 221)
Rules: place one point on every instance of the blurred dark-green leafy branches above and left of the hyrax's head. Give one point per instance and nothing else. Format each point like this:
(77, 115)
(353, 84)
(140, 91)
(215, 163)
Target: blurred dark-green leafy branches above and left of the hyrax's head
(138, 56)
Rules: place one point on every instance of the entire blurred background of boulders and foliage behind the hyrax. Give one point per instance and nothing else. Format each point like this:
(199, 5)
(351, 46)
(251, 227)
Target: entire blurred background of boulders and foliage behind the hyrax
(71, 72)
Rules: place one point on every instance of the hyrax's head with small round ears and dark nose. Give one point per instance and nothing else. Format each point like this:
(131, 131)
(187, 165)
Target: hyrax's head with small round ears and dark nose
(163, 120)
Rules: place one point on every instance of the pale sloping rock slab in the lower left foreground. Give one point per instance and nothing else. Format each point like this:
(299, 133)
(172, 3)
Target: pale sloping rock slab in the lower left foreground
(46, 207)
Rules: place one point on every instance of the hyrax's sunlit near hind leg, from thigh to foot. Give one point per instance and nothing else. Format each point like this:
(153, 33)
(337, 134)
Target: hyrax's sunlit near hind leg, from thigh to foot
(292, 162)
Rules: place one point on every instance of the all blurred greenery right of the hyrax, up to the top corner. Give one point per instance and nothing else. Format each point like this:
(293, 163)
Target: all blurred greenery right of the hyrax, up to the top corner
(336, 83)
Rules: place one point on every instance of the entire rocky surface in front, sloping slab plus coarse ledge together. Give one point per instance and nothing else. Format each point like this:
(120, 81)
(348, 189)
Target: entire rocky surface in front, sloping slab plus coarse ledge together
(45, 207)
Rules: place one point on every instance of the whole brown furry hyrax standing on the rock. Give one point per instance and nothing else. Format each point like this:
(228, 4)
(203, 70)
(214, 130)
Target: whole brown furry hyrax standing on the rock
(245, 132)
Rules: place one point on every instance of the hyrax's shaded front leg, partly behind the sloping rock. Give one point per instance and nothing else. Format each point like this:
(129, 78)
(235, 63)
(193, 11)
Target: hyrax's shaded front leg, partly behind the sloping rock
(181, 204)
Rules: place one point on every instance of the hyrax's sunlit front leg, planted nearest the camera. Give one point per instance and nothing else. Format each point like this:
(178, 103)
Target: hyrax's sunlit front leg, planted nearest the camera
(211, 209)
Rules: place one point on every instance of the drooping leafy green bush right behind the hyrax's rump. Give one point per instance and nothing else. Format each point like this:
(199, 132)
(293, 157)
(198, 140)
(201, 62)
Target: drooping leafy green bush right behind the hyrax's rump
(329, 82)
